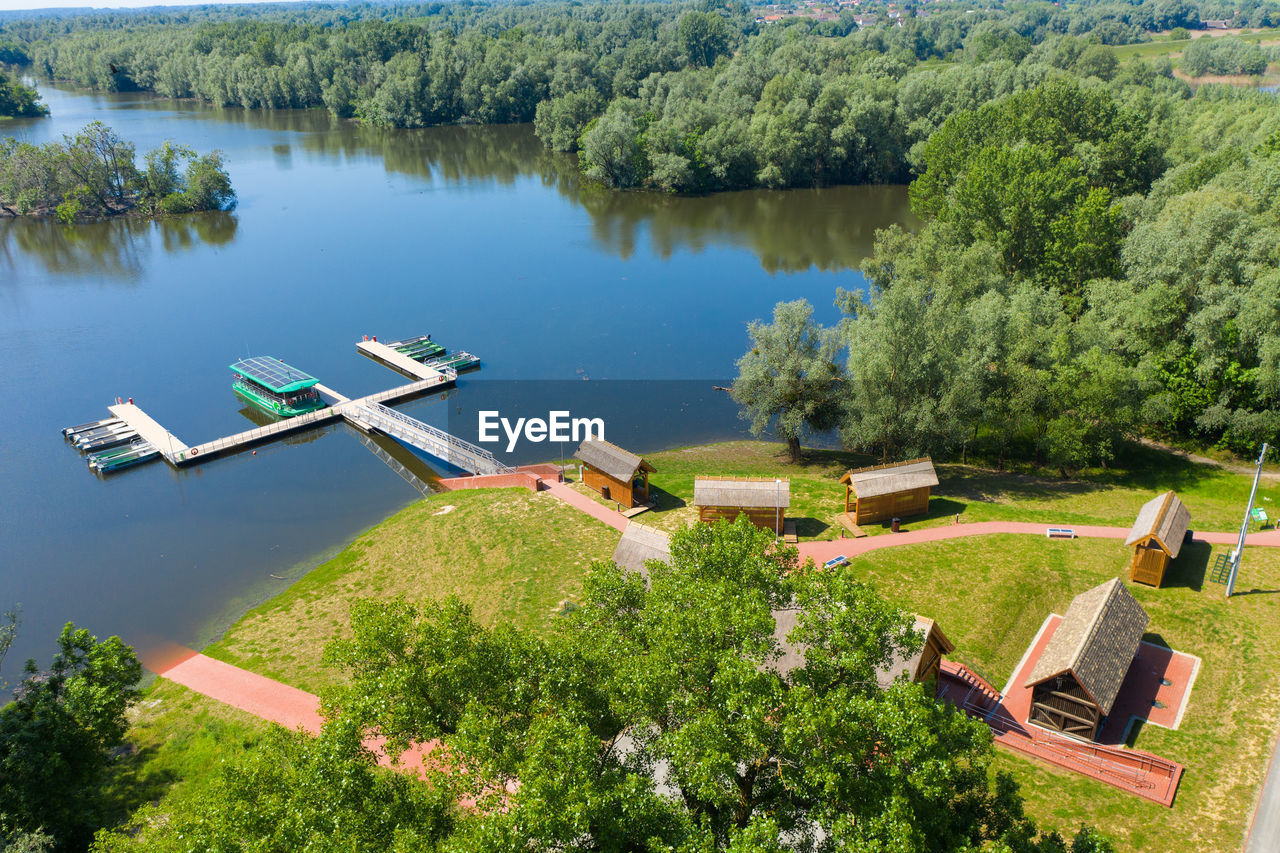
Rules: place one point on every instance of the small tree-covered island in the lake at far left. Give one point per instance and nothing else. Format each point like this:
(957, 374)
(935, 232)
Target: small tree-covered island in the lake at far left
(95, 175)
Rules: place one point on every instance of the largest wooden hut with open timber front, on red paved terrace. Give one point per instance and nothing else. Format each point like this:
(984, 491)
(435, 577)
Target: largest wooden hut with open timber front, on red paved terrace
(1078, 677)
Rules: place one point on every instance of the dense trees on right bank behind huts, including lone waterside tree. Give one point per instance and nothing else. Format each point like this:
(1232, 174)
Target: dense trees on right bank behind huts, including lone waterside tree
(1094, 267)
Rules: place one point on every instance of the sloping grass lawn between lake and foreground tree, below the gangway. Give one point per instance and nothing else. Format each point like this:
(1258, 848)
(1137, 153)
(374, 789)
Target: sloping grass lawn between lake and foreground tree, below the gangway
(513, 555)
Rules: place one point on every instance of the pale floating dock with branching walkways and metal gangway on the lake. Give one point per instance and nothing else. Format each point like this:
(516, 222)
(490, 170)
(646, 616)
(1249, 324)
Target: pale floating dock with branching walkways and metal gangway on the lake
(131, 436)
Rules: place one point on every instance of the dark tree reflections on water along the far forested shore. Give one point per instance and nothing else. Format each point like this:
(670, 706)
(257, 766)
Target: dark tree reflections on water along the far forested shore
(789, 231)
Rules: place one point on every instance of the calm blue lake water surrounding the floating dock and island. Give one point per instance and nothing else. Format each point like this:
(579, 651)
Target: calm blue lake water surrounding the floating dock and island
(476, 235)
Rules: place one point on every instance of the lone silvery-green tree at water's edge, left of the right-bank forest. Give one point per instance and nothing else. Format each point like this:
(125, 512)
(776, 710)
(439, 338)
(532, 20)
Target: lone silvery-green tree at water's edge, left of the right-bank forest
(789, 378)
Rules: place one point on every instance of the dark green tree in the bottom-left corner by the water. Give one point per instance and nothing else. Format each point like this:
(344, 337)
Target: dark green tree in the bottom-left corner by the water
(57, 733)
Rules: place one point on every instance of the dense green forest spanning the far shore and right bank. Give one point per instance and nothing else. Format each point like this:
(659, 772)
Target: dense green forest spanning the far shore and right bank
(1099, 258)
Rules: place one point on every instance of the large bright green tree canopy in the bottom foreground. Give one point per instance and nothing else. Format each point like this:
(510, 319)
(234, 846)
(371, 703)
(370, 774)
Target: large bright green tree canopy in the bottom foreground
(653, 718)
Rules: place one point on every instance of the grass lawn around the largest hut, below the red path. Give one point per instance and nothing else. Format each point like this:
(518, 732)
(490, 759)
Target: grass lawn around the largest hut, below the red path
(990, 596)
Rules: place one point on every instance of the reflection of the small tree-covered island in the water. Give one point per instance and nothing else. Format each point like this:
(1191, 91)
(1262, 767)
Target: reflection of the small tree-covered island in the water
(115, 249)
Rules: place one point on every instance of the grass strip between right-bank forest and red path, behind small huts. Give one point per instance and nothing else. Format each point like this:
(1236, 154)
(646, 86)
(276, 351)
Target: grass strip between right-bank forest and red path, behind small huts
(1217, 498)
